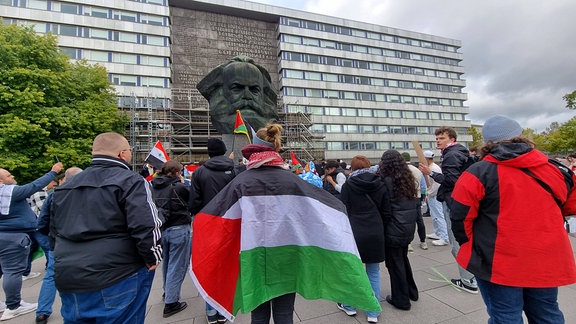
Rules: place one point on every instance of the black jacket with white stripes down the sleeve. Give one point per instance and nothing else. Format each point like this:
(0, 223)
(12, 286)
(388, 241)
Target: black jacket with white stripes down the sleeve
(106, 227)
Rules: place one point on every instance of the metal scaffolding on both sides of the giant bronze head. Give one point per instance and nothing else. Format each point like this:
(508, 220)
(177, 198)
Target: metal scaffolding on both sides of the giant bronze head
(182, 124)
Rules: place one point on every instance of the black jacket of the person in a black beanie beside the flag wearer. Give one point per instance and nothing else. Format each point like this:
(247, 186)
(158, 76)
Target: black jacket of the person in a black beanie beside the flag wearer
(208, 180)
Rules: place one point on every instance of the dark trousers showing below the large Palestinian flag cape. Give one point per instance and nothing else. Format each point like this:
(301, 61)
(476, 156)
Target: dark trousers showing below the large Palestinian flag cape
(282, 308)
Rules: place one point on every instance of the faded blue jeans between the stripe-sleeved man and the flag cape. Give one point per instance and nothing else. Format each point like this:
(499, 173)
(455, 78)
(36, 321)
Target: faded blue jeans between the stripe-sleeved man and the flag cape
(176, 247)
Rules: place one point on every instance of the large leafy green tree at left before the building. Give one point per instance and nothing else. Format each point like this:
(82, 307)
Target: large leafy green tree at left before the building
(49, 105)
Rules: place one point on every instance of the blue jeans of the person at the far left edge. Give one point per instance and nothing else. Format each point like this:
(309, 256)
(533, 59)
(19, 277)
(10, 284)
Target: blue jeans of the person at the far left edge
(14, 251)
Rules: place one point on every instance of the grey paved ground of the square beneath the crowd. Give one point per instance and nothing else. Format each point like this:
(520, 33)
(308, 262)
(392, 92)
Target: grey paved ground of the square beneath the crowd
(439, 302)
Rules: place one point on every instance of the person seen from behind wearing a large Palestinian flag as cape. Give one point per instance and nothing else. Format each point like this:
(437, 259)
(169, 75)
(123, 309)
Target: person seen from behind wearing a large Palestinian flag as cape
(269, 235)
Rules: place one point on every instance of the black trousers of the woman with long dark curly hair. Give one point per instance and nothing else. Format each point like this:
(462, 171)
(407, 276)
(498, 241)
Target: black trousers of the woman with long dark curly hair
(402, 281)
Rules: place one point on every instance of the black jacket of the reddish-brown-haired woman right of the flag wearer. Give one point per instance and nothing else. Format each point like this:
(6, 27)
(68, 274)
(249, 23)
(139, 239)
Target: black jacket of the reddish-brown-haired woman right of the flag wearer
(364, 196)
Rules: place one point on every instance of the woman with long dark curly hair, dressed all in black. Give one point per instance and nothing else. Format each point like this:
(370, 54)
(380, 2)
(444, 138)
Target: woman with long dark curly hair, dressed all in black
(400, 224)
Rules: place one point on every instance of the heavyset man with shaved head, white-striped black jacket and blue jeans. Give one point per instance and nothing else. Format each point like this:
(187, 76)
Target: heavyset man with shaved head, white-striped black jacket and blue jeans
(107, 238)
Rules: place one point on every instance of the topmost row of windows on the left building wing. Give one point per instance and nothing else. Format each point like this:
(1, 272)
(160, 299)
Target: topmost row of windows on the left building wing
(86, 10)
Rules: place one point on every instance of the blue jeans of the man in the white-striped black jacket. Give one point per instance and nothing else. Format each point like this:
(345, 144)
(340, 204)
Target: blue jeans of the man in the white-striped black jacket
(124, 302)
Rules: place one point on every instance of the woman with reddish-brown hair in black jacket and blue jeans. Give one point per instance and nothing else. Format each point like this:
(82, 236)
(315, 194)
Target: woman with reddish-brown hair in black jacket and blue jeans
(365, 197)
